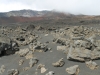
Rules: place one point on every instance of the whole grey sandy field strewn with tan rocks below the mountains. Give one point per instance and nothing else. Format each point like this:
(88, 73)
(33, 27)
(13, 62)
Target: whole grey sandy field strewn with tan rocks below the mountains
(49, 49)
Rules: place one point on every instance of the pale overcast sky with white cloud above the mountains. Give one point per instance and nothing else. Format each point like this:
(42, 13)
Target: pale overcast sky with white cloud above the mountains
(87, 7)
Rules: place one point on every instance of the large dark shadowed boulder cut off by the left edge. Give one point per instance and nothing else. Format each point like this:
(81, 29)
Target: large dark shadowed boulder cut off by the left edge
(7, 46)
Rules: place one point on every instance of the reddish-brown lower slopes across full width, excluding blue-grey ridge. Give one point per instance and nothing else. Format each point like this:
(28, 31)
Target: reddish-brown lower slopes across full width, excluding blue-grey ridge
(53, 18)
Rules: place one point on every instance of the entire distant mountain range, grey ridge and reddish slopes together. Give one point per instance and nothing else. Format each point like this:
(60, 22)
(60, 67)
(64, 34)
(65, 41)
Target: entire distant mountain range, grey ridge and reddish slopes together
(46, 17)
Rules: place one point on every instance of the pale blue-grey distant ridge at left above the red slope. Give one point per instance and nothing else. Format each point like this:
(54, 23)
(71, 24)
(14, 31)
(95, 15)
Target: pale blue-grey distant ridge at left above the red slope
(25, 13)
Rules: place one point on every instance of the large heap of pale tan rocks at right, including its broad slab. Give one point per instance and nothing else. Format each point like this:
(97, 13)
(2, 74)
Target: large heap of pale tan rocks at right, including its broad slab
(81, 45)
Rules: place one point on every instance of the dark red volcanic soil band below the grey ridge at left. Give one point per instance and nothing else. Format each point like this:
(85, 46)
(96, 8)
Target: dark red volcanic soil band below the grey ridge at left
(4, 20)
